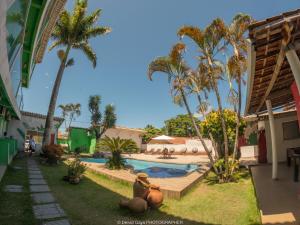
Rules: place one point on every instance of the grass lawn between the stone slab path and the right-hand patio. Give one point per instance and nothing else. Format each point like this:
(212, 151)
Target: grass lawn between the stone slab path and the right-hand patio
(95, 201)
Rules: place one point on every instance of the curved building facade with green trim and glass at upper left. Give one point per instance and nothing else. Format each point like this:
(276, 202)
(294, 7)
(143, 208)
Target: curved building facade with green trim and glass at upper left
(25, 27)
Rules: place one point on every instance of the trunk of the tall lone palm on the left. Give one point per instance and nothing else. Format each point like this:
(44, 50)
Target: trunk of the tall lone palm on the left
(52, 104)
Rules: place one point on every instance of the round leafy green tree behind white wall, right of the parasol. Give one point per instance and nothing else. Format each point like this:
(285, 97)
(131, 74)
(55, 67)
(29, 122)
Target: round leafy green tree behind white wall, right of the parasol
(181, 126)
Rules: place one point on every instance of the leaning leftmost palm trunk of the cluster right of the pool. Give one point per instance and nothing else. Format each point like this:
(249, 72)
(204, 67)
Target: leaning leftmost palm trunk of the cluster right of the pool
(198, 131)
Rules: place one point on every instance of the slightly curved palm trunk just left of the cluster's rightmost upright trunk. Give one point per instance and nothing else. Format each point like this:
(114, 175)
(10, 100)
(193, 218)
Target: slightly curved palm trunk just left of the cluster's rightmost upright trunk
(215, 86)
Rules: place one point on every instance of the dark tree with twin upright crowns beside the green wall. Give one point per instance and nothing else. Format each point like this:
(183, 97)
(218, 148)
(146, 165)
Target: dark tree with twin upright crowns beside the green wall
(100, 124)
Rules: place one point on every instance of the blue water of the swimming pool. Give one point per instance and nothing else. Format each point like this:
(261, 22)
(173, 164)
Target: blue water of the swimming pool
(153, 169)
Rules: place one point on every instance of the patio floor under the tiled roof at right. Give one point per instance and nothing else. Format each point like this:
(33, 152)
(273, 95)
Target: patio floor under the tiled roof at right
(278, 200)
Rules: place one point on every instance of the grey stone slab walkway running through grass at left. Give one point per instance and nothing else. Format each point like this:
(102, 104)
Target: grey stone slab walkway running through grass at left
(45, 207)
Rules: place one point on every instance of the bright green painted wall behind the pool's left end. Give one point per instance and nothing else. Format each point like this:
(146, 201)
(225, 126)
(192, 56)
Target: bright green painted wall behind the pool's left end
(80, 138)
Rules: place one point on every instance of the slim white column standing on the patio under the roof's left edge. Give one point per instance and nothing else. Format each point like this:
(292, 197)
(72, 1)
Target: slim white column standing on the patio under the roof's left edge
(273, 139)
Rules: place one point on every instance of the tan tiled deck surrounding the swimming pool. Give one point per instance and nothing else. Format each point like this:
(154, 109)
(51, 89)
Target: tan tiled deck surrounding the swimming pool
(171, 187)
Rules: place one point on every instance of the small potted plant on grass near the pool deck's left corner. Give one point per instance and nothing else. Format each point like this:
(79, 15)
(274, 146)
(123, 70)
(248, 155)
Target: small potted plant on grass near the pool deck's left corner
(75, 171)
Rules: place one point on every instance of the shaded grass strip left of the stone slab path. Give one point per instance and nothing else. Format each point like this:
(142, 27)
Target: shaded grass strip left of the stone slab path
(16, 208)
